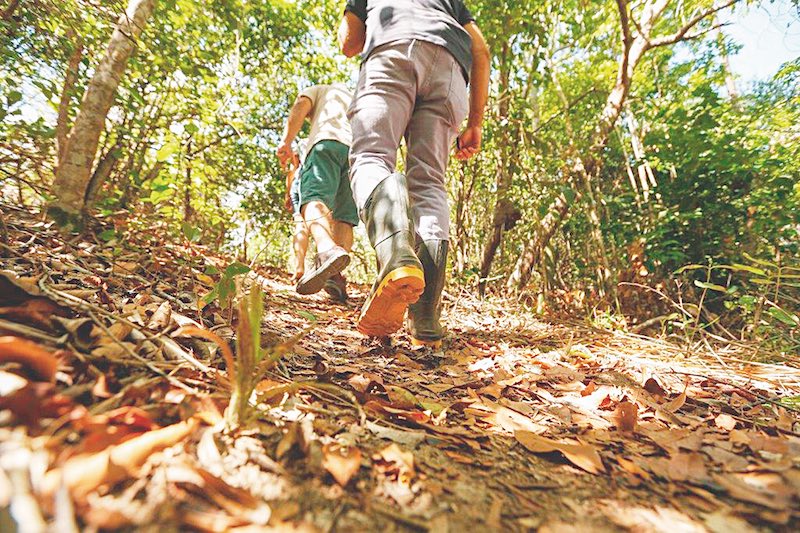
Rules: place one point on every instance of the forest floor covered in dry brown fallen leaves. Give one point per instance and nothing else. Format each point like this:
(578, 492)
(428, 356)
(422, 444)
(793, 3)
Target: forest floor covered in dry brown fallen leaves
(111, 418)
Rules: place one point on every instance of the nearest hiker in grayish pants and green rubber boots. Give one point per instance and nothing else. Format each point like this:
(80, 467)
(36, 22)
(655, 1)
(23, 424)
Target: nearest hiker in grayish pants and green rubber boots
(418, 57)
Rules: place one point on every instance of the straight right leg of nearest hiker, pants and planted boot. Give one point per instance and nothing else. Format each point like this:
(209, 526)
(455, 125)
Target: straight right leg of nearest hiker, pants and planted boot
(429, 137)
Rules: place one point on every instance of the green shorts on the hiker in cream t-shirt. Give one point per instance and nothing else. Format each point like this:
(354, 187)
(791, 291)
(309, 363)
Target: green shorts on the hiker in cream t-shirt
(325, 178)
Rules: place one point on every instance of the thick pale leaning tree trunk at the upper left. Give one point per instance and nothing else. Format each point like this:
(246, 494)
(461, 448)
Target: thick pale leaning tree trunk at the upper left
(74, 173)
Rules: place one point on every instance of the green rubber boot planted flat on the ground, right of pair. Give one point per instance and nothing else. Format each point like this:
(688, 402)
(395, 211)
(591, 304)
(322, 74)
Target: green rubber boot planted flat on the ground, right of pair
(424, 315)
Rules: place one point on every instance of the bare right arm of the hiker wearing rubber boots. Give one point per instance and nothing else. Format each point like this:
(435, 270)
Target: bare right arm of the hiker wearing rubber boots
(469, 142)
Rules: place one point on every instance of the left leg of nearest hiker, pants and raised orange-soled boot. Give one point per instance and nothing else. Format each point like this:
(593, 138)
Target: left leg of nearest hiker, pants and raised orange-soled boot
(378, 116)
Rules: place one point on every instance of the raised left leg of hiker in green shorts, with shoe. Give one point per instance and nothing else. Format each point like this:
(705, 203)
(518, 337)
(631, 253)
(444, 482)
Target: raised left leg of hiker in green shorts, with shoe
(318, 186)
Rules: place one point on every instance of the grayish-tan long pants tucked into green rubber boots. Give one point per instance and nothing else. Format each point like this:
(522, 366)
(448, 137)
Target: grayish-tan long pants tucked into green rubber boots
(413, 90)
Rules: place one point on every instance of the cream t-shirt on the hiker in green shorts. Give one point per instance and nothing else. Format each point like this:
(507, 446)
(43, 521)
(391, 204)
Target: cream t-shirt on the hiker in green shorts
(329, 114)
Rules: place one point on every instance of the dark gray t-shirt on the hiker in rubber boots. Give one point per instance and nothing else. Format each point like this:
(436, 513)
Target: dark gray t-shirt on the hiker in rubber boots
(436, 21)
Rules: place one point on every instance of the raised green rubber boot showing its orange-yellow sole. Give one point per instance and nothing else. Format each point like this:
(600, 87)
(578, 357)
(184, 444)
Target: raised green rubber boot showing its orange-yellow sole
(400, 276)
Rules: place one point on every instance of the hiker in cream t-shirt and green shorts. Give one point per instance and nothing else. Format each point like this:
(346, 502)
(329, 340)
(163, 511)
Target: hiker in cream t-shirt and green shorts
(325, 200)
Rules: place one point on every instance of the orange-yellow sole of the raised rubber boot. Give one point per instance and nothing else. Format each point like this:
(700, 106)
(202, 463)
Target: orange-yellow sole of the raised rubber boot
(383, 313)
